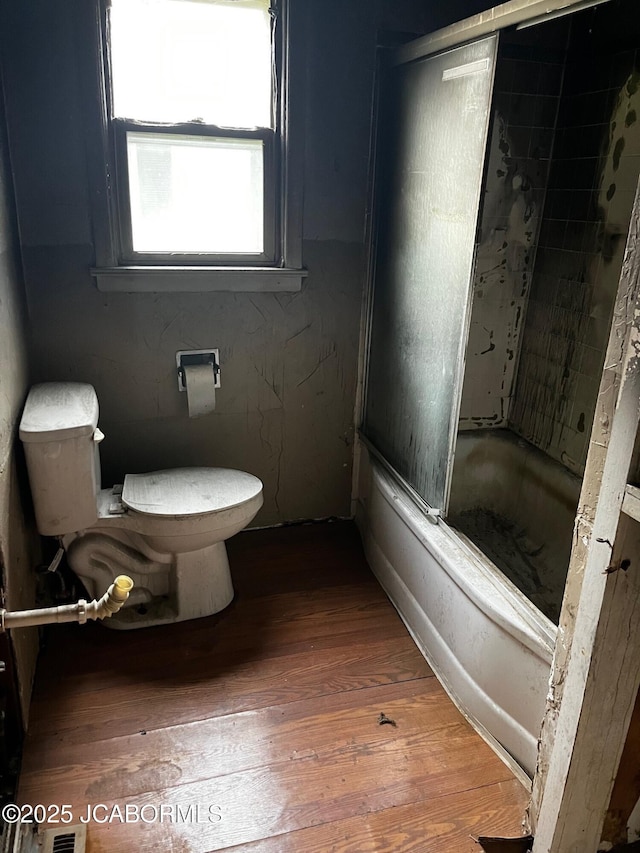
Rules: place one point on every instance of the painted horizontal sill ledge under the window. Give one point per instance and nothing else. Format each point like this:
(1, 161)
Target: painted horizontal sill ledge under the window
(165, 279)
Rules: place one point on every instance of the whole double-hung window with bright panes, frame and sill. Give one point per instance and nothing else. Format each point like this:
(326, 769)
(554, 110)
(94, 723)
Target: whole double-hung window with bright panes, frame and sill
(194, 135)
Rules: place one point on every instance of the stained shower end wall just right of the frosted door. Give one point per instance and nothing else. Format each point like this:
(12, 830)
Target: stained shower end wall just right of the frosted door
(525, 106)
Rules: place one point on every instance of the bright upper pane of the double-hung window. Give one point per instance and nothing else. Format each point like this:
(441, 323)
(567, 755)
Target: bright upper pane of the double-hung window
(186, 60)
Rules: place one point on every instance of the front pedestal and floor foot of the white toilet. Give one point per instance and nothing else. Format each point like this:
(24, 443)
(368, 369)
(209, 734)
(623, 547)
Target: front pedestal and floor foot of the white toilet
(202, 586)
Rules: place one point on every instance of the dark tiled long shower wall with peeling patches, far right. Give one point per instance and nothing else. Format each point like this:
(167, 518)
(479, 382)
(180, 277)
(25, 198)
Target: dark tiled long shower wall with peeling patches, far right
(593, 177)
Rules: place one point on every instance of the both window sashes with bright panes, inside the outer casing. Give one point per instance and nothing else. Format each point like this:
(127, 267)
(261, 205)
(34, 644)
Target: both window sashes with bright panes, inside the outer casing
(195, 136)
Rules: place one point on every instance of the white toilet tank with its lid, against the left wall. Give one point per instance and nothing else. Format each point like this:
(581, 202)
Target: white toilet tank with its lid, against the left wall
(59, 432)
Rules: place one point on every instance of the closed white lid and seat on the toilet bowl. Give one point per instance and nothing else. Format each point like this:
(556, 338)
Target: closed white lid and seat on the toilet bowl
(181, 492)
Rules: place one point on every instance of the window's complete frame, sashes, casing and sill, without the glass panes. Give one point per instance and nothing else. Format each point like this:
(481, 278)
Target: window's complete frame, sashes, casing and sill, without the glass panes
(117, 267)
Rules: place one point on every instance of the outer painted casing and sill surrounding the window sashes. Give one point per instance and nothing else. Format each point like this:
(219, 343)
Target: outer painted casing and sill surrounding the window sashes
(109, 272)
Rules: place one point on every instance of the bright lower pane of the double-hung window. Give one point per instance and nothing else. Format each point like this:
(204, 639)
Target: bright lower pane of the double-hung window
(196, 194)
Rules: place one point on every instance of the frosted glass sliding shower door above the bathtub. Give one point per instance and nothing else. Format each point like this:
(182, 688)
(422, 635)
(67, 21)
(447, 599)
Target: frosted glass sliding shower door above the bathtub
(433, 127)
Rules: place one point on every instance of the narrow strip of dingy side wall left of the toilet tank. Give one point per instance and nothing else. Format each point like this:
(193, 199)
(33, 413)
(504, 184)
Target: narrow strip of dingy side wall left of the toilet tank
(17, 537)
